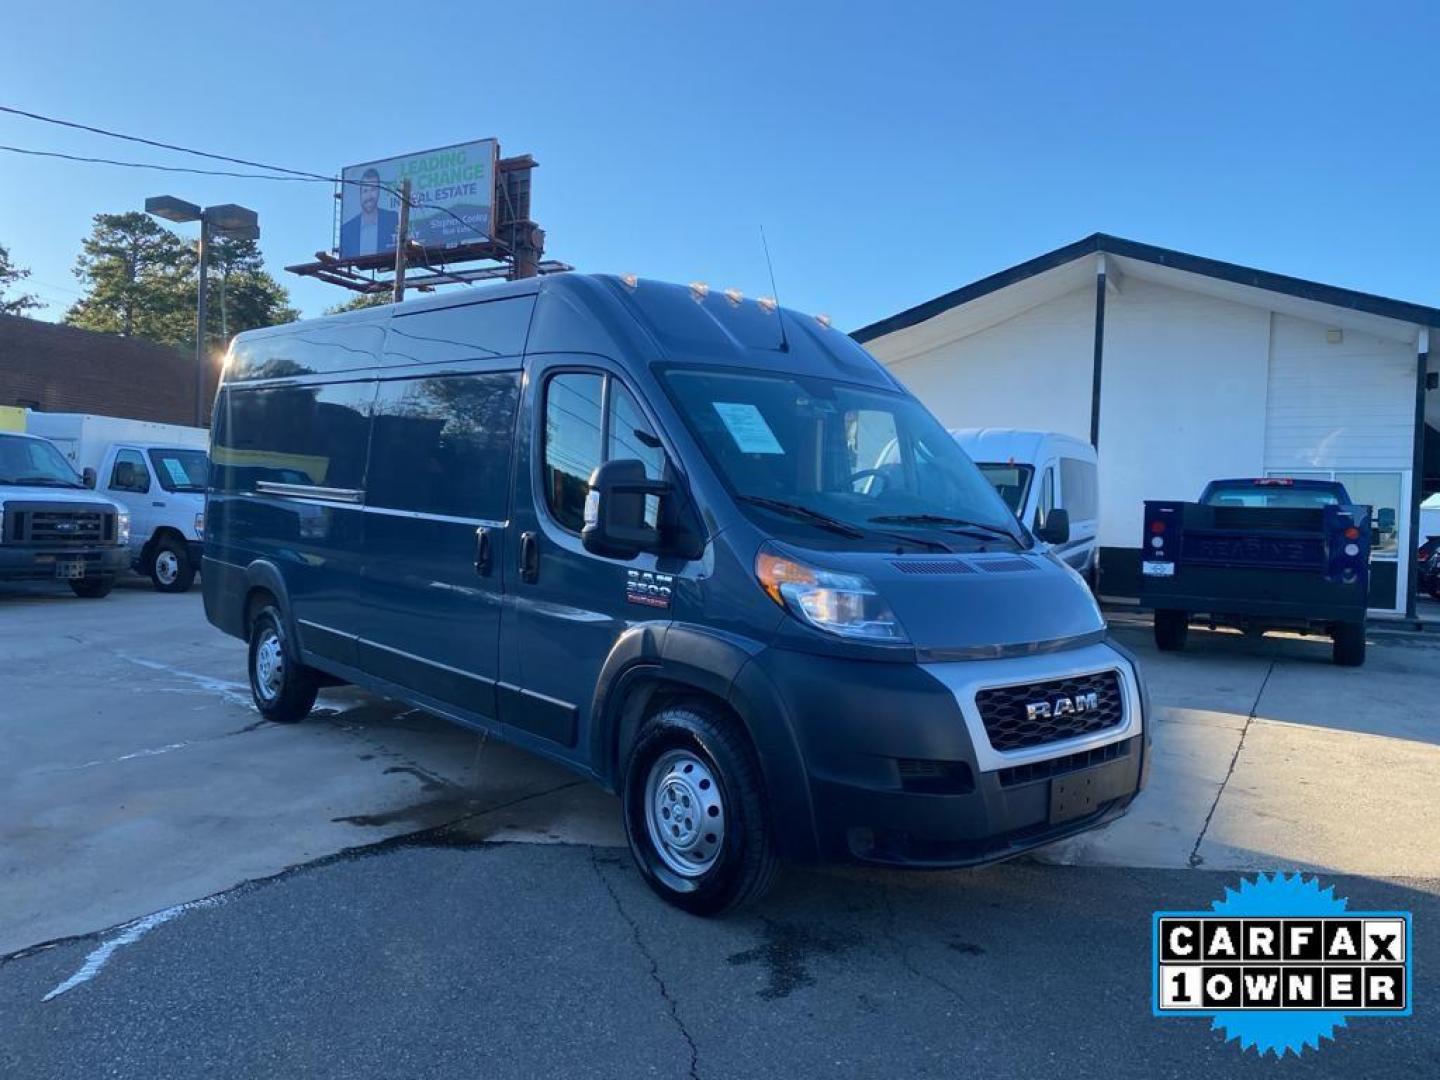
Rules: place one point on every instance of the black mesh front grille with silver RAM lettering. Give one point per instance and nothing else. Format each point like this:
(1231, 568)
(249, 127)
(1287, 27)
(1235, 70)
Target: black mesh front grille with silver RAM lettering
(1062, 711)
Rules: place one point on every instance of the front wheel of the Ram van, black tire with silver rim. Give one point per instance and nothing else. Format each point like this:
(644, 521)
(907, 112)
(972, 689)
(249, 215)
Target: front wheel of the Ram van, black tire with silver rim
(742, 860)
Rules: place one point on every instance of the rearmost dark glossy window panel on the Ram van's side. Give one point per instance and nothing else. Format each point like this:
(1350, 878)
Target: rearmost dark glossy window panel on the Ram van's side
(315, 436)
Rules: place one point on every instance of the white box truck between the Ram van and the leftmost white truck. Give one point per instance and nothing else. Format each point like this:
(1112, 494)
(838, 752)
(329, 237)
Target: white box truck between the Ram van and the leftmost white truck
(158, 472)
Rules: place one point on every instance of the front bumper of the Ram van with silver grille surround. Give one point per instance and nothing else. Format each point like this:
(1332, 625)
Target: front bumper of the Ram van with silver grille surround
(901, 771)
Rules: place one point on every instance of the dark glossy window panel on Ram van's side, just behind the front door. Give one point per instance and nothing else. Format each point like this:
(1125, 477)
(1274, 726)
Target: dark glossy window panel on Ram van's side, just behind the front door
(441, 446)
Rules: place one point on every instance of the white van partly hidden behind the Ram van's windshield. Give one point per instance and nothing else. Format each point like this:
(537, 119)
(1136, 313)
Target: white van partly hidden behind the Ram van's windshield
(1038, 472)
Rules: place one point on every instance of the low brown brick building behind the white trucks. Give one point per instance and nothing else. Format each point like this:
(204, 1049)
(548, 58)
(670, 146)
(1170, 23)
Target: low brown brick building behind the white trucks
(55, 368)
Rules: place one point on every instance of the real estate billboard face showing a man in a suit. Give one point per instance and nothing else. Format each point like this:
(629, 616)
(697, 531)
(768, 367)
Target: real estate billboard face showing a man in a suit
(453, 199)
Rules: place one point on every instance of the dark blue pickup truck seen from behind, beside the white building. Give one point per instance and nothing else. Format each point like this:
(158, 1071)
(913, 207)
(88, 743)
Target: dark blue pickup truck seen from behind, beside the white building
(1261, 554)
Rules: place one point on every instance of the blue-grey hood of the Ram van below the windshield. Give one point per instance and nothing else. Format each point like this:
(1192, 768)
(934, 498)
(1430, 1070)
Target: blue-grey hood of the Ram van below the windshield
(980, 604)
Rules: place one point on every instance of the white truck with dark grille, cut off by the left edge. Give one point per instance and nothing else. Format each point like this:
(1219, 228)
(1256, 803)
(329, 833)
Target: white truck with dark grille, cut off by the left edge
(51, 526)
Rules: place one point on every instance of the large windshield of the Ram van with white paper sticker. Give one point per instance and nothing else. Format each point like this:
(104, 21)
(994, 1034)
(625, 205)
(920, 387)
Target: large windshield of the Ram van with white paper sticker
(836, 459)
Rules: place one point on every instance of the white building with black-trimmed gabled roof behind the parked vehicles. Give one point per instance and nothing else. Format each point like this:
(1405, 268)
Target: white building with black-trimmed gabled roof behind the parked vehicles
(1183, 369)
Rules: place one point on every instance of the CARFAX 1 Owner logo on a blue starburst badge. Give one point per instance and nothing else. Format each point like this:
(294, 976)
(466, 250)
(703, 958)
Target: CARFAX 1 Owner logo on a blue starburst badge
(1281, 964)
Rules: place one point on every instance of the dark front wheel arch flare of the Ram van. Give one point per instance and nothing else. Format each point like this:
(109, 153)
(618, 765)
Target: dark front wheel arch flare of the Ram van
(652, 659)
